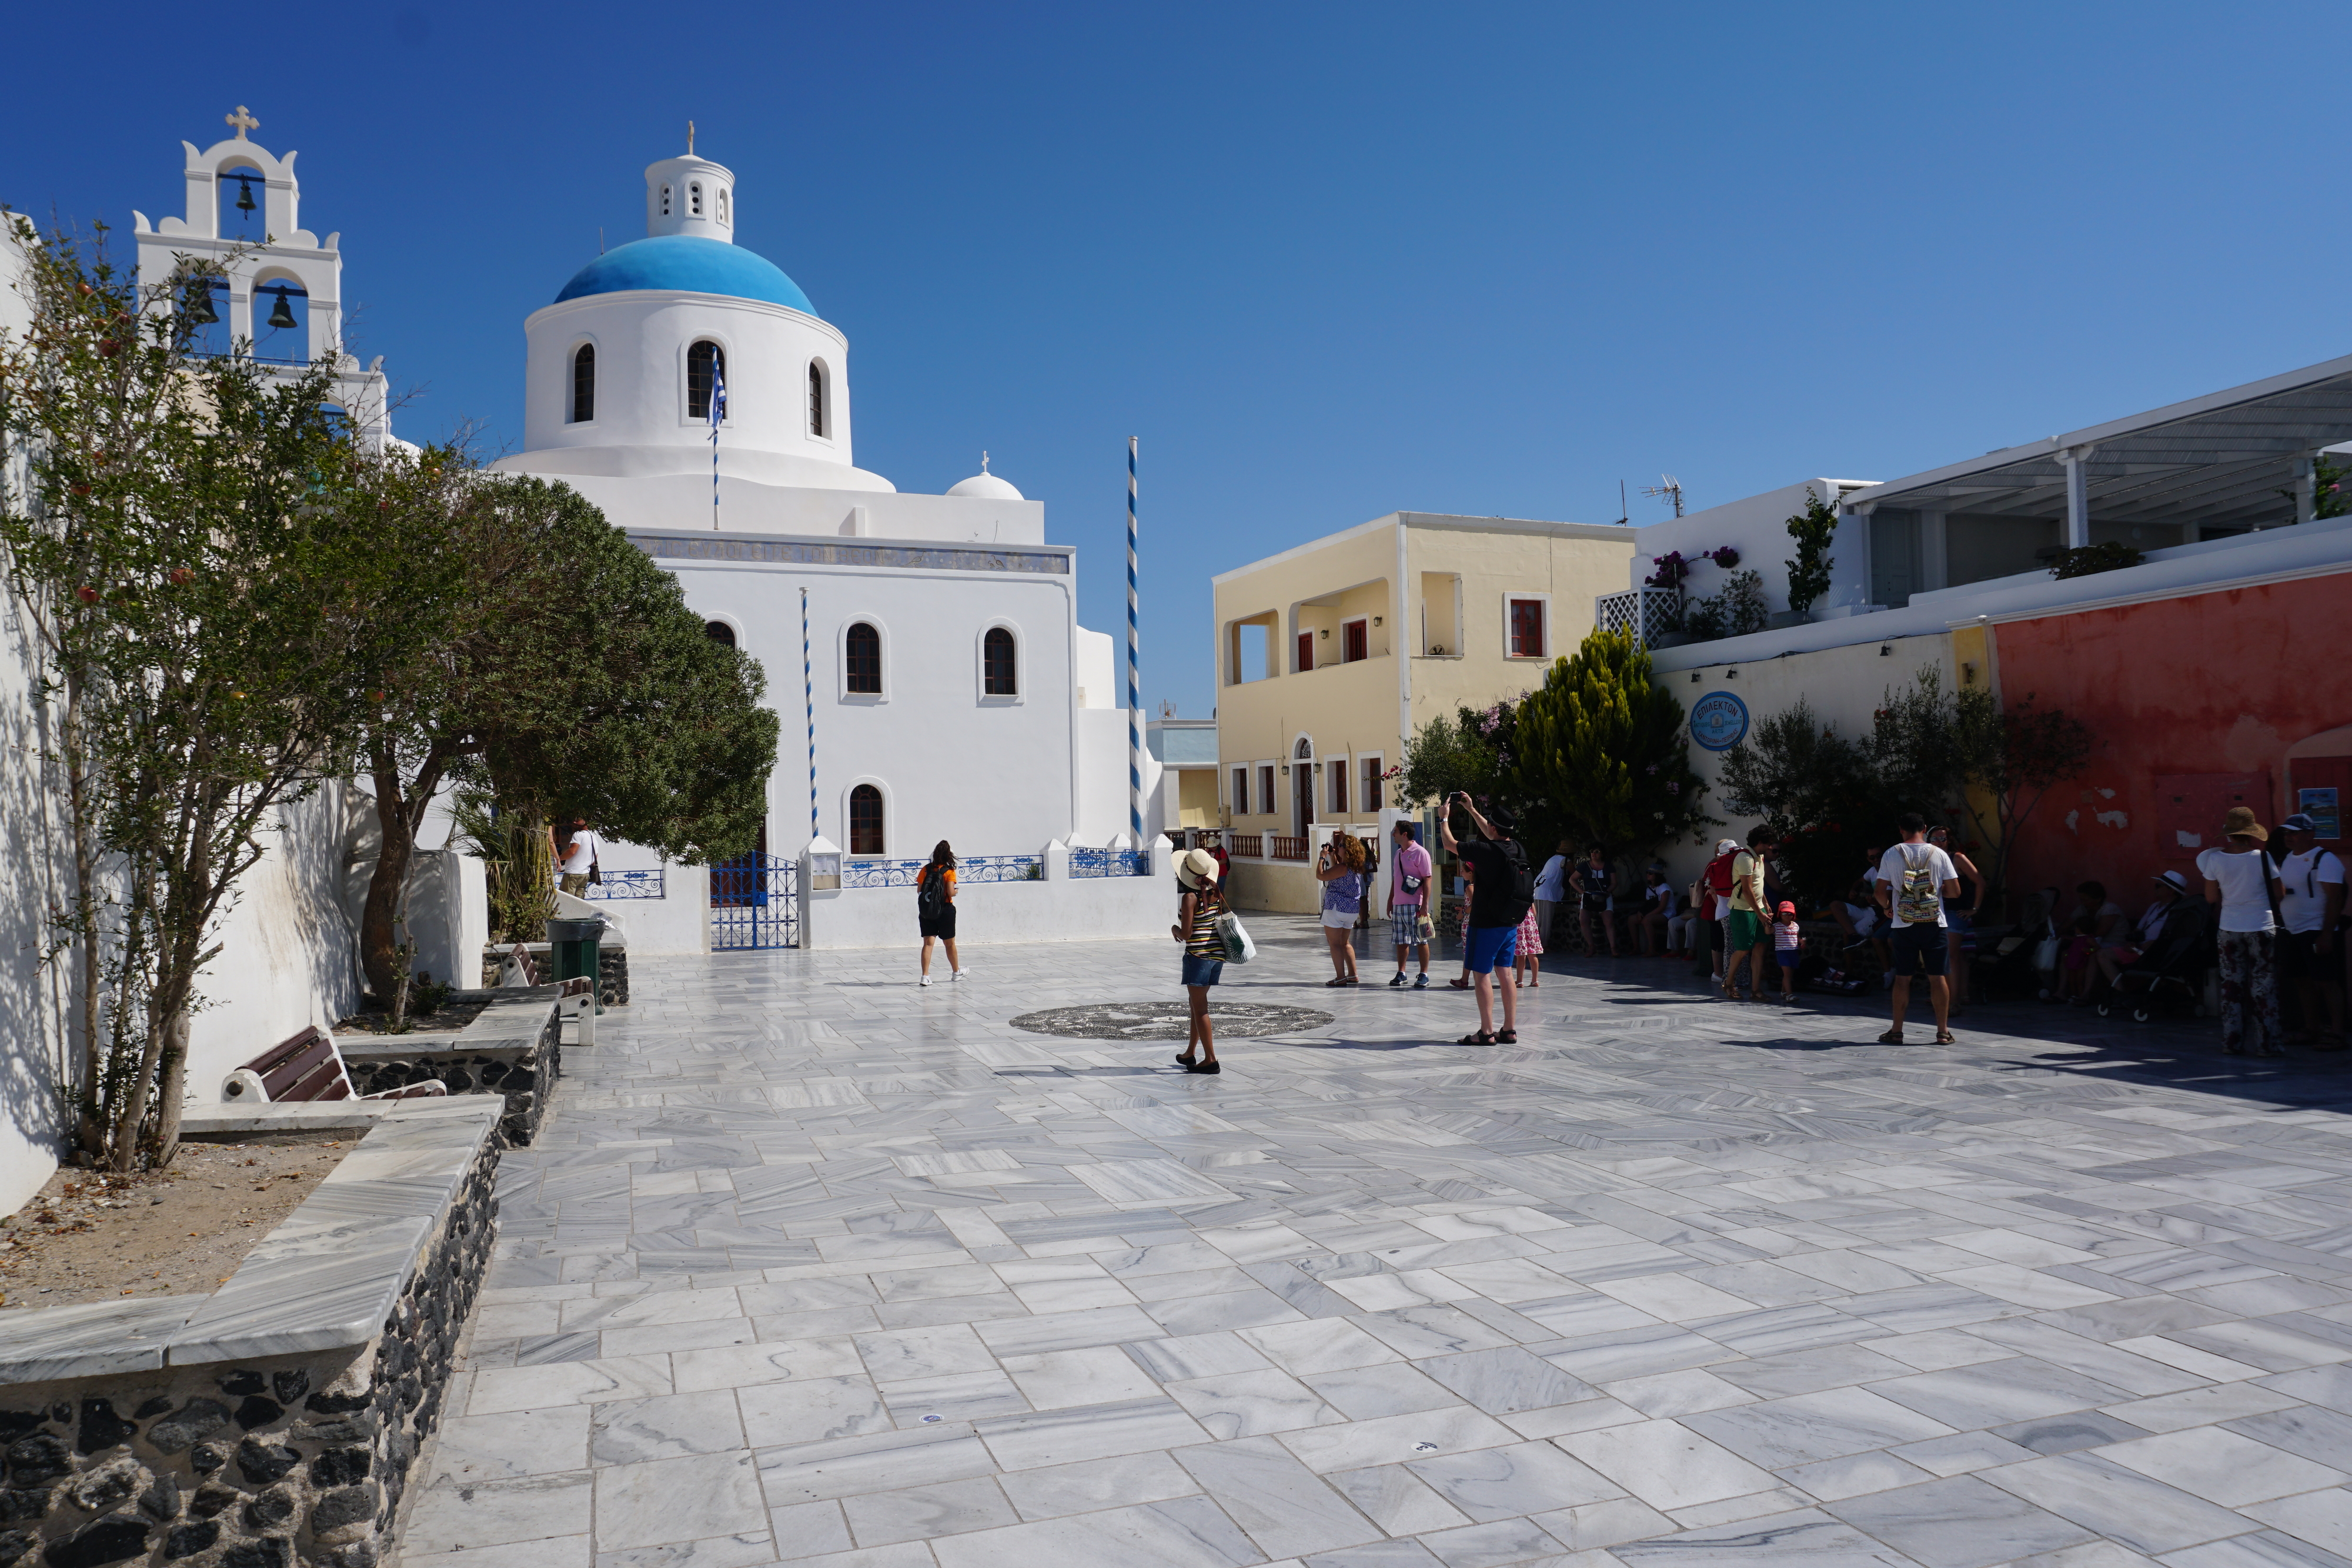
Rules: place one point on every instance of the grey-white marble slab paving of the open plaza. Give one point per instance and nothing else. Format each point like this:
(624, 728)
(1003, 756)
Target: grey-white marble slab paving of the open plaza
(813, 1266)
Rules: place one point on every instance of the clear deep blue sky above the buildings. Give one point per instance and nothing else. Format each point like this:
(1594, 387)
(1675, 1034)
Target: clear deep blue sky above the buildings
(1328, 262)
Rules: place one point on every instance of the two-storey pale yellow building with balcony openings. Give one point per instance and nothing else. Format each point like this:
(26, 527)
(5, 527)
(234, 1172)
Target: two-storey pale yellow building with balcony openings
(1314, 697)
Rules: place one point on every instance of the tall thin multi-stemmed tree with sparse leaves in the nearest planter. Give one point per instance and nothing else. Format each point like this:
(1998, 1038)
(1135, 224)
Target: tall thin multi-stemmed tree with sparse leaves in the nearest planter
(201, 587)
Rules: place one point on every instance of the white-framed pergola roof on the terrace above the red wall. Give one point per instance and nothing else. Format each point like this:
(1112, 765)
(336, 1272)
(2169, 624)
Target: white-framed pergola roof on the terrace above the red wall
(2229, 460)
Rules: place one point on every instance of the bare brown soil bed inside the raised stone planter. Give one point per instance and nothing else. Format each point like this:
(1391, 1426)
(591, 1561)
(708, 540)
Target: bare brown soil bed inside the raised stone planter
(180, 1231)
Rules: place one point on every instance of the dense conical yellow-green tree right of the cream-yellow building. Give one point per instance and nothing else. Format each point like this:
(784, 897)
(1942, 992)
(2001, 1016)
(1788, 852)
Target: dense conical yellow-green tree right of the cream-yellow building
(1603, 753)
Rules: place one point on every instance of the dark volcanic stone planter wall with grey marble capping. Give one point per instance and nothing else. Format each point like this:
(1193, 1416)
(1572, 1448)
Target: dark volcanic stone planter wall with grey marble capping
(293, 1454)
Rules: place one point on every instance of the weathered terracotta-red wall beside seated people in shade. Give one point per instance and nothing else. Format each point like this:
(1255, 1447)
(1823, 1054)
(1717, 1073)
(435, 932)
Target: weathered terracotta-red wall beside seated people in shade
(2219, 683)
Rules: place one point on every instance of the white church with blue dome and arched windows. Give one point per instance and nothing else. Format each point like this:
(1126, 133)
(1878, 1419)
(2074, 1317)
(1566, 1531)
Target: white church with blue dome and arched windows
(923, 650)
